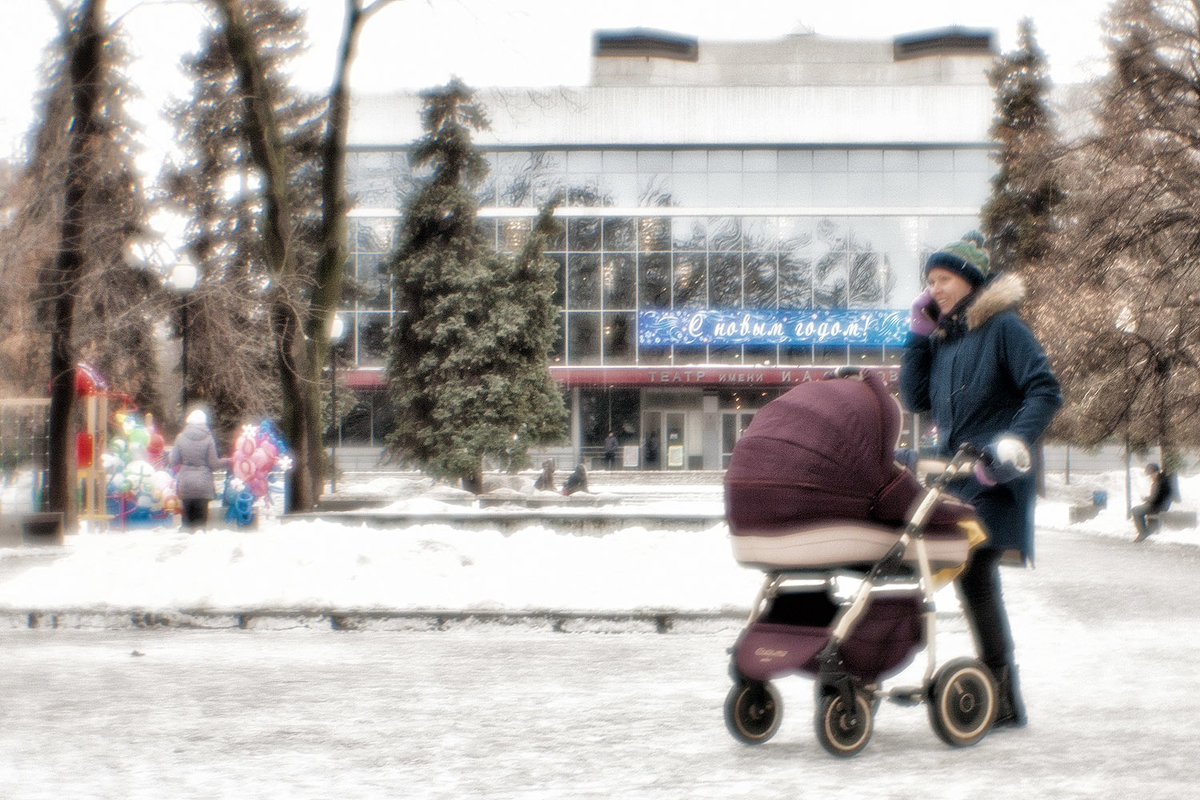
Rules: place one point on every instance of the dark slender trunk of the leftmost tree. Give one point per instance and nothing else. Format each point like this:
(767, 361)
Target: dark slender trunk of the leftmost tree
(86, 70)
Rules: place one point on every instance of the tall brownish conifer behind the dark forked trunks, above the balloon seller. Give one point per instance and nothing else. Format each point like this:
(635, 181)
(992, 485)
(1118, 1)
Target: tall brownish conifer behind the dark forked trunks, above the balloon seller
(231, 353)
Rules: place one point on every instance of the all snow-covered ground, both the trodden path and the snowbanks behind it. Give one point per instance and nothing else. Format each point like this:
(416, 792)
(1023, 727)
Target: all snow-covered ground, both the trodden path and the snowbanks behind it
(1105, 630)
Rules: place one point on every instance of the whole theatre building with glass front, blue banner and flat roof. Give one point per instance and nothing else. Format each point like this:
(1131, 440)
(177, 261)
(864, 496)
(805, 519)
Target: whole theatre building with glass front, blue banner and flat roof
(737, 218)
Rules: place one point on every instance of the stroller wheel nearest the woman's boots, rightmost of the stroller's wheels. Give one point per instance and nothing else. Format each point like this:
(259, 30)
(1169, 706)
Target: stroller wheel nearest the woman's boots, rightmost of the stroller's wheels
(962, 702)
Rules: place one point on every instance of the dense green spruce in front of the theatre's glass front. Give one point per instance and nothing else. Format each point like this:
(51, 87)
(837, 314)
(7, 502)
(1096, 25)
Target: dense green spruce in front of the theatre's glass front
(469, 356)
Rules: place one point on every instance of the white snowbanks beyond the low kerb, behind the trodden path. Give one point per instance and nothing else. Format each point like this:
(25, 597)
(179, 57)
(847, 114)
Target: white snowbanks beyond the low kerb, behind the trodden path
(323, 564)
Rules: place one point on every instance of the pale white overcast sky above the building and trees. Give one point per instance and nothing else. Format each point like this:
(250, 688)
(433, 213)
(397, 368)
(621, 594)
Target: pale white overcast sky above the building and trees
(418, 44)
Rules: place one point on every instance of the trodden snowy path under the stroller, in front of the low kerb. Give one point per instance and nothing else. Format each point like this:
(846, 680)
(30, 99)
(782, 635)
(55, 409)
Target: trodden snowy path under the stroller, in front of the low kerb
(1106, 630)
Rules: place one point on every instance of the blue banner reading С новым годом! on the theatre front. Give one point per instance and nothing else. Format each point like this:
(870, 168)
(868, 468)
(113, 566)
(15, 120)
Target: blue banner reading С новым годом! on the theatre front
(695, 327)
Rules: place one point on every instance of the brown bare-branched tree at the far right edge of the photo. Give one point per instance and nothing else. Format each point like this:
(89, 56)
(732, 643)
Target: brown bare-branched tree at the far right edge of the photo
(1129, 350)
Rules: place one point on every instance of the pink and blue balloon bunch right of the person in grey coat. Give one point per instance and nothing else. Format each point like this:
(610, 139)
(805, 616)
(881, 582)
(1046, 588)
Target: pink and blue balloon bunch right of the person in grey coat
(257, 471)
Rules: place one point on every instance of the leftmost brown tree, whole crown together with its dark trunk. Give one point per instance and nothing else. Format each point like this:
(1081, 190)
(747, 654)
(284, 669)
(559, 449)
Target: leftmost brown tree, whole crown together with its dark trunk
(70, 293)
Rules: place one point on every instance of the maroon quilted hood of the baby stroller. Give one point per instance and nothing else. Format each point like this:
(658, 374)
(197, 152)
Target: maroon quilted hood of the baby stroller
(825, 450)
